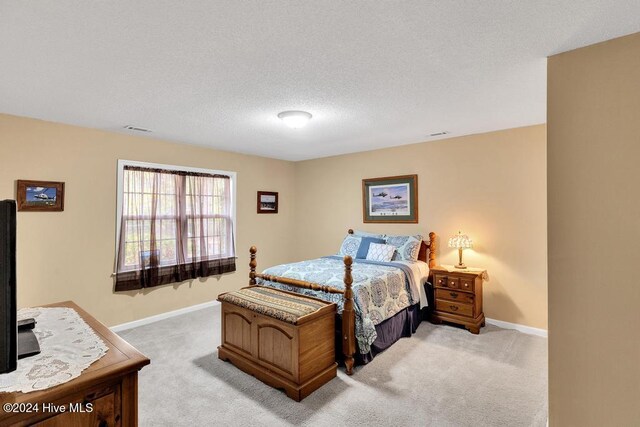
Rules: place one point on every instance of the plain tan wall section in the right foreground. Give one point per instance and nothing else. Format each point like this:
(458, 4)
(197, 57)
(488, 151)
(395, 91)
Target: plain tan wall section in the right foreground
(594, 229)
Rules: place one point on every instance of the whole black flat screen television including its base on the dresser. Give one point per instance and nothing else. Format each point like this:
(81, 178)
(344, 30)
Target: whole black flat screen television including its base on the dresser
(17, 340)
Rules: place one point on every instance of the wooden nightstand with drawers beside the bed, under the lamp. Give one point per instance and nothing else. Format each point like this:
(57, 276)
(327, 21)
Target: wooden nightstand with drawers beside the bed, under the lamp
(458, 296)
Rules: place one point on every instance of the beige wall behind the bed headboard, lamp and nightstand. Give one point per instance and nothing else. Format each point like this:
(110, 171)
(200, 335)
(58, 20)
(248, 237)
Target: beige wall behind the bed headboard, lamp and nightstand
(492, 186)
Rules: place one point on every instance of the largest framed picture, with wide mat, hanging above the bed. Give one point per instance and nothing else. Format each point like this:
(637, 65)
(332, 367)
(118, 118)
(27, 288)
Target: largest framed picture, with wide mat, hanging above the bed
(392, 199)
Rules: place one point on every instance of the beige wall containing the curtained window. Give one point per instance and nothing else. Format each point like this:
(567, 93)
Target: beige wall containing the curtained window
(69, 255)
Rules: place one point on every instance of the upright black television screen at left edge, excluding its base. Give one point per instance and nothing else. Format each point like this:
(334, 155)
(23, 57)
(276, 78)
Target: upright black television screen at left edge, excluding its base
(8, 324)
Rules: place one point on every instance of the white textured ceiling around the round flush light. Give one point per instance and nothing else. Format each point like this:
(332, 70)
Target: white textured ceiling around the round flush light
(216, 73)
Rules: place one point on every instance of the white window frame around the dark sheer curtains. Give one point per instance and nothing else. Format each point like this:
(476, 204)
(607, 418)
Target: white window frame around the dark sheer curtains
(120, 192)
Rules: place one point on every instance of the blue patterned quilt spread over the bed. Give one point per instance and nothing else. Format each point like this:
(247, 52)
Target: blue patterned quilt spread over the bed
(380, 289)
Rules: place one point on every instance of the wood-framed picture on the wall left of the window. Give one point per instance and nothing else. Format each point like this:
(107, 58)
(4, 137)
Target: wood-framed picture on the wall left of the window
(41, 196)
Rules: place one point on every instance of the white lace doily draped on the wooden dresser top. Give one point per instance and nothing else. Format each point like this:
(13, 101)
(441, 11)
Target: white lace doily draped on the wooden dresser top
(67, 344)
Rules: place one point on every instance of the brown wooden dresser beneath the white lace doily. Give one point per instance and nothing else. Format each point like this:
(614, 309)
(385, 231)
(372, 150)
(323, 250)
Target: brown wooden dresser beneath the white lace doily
(109, 385)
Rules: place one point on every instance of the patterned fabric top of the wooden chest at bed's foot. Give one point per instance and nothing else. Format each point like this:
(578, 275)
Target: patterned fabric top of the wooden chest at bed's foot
(273, 303)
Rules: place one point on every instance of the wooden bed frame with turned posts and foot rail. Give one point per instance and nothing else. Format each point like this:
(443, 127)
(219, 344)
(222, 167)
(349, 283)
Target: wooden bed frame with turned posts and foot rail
(427, 254)
